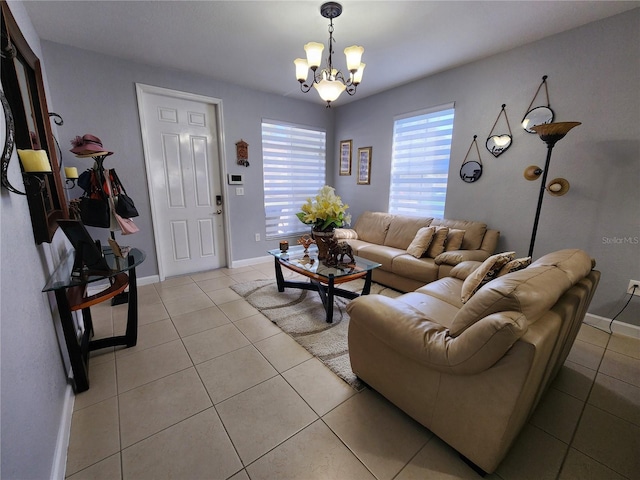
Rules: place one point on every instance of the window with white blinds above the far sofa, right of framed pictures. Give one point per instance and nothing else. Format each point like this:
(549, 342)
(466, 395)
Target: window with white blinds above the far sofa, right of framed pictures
(420, 162)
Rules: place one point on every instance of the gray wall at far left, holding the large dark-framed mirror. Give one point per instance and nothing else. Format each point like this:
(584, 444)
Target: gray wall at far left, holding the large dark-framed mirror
(33, 378)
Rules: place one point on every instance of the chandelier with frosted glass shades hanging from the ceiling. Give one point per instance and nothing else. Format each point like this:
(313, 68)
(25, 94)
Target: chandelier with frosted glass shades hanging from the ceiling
(329, 82)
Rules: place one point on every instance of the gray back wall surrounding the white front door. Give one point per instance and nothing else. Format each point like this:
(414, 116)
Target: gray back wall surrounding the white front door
(96, 94)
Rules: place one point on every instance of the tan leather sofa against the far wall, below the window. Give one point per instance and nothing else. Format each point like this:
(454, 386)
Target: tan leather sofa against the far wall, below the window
(384, 238)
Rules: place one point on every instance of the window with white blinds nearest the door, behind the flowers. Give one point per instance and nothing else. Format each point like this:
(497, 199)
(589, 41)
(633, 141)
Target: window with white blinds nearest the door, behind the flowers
(294, 160)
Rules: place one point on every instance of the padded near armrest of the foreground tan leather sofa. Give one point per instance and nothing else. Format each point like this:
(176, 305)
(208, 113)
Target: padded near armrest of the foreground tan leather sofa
(411, 334)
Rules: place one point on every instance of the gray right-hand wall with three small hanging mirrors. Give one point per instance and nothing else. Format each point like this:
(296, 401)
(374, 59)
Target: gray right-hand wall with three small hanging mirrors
(594, 74)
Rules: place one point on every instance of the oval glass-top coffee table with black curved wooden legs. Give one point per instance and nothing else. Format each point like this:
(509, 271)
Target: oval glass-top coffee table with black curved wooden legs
(322, 278)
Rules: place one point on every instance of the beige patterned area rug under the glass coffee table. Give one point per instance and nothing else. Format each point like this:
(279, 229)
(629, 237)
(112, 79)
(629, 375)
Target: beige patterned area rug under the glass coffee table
(300, 313)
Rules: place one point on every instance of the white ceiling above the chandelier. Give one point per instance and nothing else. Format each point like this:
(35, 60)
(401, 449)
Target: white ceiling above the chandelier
(254, 43)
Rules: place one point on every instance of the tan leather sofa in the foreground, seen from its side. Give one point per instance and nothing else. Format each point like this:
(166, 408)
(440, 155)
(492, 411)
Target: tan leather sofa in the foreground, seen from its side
(473, 373)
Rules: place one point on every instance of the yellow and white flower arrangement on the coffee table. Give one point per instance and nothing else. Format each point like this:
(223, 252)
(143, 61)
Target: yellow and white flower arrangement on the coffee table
(326, 211)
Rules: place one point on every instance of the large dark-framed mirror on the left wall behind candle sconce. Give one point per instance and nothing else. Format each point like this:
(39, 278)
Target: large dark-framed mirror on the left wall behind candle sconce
(23, 88)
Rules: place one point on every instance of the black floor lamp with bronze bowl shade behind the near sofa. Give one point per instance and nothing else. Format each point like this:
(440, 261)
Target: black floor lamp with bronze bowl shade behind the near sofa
(550, 133)
